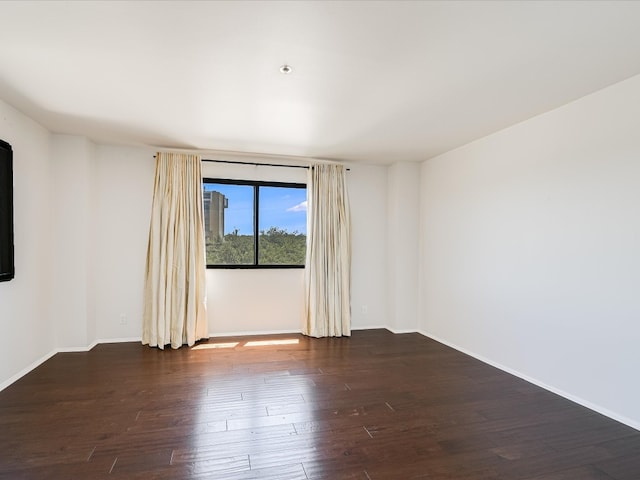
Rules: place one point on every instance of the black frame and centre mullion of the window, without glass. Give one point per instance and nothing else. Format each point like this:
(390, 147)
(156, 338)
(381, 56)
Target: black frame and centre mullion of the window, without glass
(256, 184)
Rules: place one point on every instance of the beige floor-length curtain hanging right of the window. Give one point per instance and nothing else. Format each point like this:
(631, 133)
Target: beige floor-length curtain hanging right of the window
(328, 263)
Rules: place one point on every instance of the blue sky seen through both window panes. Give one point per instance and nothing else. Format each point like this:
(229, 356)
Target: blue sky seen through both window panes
(280, 207)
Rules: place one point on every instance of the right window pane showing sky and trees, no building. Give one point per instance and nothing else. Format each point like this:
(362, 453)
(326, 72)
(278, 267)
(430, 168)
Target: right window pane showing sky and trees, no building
(282, 225)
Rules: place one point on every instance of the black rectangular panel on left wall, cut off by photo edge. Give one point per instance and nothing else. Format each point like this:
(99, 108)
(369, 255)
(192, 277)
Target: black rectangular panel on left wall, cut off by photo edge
(7, 266)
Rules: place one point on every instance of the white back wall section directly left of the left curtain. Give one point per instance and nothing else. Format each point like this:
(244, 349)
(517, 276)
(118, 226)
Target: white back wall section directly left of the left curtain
(123, 196)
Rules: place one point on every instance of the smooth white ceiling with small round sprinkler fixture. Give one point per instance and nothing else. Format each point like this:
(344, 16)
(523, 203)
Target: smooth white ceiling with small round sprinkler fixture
(376, 82)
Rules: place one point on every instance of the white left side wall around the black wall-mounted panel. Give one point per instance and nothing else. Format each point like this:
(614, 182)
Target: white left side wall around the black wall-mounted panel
(24, 301)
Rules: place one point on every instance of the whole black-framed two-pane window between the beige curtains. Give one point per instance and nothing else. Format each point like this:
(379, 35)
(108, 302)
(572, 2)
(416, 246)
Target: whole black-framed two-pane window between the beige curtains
(234, 210)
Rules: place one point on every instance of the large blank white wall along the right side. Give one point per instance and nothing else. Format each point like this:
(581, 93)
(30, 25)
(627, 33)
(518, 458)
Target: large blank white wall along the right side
(530, 244)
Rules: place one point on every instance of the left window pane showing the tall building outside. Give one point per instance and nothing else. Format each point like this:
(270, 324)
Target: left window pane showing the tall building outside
(228, 224)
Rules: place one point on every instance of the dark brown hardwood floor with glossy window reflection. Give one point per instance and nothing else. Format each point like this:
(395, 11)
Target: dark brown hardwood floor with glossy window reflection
(373, 406)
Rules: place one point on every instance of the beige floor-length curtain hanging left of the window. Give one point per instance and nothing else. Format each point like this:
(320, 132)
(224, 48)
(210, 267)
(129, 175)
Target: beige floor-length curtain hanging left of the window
(174, 295)
